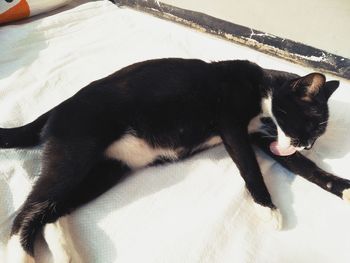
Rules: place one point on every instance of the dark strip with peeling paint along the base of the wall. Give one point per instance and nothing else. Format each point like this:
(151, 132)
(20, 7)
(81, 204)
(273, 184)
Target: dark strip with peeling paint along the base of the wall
(261, 41)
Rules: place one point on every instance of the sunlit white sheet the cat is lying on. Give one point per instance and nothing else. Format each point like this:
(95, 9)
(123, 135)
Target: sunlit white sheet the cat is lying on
(193, 211)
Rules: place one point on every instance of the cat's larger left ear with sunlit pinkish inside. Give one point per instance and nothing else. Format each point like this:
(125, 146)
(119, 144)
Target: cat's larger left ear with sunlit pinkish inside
(309, 86)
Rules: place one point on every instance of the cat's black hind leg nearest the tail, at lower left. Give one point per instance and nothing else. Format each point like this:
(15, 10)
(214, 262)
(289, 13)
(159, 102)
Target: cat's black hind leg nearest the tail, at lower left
(65, 165)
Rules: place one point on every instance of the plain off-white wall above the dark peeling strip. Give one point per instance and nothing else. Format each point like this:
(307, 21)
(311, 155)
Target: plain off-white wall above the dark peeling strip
(324, 24)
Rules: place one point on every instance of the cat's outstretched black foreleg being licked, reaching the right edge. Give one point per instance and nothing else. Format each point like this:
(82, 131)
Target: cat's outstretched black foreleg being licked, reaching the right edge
(299, 164)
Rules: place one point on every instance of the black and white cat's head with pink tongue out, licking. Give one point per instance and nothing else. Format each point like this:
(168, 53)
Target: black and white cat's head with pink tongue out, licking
(300, 110)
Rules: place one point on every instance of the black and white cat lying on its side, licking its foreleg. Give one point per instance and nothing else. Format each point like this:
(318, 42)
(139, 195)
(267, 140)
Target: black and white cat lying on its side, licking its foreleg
(166, 110)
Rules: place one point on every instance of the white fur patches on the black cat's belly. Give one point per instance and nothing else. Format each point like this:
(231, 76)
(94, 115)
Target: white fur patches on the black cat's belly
(137, 153)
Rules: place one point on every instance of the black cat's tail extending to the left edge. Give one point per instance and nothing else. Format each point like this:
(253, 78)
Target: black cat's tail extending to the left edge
(24, 136)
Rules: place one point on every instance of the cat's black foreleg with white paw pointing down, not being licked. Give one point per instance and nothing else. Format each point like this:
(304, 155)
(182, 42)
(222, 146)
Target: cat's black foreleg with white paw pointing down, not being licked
(237, 144)
